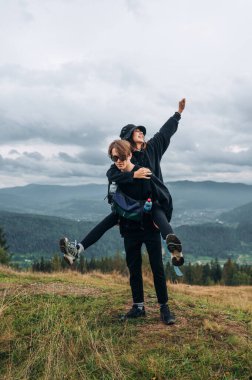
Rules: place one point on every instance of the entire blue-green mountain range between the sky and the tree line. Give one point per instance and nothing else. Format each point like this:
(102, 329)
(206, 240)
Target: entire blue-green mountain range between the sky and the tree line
(212, 219)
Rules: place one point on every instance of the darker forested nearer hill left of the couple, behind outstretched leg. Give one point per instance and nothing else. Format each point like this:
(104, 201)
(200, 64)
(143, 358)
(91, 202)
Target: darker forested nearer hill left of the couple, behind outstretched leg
(31, 236)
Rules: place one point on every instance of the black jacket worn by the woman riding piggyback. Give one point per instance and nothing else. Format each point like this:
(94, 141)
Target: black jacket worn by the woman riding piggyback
(150, 157)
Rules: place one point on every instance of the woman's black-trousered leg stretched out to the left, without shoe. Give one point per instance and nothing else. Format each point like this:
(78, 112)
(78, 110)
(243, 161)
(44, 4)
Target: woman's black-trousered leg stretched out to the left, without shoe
(96, 233)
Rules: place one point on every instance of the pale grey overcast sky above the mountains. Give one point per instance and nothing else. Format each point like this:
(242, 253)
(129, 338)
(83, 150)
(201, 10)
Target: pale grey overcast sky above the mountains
(74, 72)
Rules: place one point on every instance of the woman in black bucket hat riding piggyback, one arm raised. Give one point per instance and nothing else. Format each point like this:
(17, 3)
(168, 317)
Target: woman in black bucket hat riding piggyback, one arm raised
(149, 156)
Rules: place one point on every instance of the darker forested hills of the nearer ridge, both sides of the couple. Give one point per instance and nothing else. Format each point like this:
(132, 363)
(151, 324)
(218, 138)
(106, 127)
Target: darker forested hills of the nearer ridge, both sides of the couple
(30, 236)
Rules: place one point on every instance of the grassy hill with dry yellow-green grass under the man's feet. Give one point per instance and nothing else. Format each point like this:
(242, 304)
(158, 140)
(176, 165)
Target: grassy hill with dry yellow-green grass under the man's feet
(66, 326)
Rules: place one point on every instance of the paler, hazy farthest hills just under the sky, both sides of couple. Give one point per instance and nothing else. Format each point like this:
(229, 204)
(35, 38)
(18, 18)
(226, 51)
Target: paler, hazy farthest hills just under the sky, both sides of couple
(194, 202)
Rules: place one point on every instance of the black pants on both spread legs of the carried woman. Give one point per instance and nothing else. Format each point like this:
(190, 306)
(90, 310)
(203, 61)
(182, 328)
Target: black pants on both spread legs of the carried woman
(158, 216)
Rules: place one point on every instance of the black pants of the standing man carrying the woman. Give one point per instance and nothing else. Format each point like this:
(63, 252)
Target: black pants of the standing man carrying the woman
(133, 244)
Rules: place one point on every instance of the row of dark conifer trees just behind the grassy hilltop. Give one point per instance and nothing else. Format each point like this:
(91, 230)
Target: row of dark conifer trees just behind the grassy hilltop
(212, 273)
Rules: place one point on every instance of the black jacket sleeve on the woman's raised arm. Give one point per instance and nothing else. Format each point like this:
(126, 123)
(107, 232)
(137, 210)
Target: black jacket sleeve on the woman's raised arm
(161, 140)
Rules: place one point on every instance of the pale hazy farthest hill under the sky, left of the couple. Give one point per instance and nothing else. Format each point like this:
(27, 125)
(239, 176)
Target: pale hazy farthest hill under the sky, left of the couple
(66, 201)
